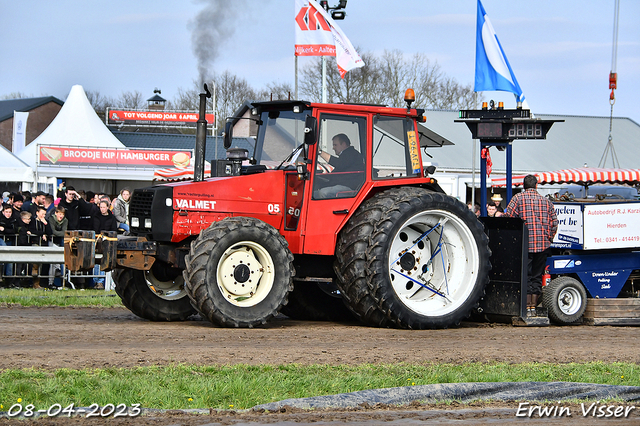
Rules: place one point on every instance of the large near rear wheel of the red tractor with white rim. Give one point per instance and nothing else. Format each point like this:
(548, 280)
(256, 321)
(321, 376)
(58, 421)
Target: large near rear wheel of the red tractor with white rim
(412, 258)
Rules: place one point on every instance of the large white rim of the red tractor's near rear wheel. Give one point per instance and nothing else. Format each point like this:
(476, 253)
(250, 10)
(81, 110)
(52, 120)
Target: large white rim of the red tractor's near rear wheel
(452, 273)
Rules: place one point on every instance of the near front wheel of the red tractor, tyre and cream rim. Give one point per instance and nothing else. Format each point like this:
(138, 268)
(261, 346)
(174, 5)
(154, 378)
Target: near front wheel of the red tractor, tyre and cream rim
(239, 272)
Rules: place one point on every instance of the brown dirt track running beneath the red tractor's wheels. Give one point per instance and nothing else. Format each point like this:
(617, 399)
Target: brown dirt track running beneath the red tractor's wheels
(112, 337)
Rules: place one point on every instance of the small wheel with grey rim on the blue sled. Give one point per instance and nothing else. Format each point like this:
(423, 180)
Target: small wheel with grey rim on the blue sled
(565, 298)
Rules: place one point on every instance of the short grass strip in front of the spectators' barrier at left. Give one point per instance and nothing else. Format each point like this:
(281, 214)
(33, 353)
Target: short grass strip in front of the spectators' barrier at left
(33, 297)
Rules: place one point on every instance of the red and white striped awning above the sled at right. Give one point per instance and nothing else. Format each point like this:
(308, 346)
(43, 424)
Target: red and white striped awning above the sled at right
(581, 176)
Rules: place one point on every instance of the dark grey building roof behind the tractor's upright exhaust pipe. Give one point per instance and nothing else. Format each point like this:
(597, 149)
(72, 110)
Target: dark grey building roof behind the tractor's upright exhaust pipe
(181, 142)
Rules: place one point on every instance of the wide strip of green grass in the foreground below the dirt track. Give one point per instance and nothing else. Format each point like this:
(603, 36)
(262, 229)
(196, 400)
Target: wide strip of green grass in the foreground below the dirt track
(243, 386)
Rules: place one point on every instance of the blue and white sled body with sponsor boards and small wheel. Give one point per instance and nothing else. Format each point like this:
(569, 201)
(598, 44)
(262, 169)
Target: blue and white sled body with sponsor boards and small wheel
(596, 254)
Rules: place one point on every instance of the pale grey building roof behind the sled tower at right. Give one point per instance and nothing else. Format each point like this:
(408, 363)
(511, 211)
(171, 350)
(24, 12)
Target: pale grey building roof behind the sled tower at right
(579, 140)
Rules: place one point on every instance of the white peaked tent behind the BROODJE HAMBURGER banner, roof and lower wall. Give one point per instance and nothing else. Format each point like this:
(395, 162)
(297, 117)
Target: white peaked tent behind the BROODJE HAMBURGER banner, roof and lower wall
(78, 125)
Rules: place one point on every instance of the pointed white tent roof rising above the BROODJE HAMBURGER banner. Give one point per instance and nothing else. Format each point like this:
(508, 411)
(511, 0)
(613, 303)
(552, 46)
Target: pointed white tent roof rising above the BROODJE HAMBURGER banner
(77, 124)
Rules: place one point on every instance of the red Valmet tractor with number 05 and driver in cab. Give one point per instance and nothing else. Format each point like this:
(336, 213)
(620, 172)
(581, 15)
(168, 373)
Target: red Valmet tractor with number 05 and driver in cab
(365, 231)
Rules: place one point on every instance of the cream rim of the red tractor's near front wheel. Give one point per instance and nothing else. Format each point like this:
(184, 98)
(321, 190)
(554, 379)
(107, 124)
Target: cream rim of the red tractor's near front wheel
(245, 274)
